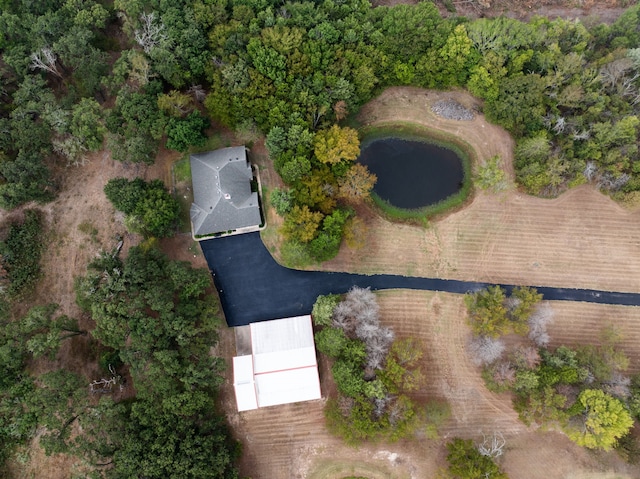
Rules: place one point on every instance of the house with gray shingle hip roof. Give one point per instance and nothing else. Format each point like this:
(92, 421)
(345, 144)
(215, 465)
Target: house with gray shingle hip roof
(222, 196)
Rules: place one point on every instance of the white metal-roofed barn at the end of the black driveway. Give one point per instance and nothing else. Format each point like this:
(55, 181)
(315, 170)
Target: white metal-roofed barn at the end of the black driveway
(282, 367)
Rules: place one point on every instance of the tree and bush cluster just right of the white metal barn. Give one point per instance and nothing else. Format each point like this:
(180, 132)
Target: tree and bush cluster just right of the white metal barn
(373, 373)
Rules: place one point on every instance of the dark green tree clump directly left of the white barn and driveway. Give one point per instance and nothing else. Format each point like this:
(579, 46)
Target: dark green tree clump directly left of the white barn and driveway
(158, 316)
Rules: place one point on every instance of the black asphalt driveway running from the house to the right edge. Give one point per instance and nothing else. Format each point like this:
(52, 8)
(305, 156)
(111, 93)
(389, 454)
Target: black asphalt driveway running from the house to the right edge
(253, 287)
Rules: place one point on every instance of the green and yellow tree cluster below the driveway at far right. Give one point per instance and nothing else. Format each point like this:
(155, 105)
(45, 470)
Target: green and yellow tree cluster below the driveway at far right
(582, 390)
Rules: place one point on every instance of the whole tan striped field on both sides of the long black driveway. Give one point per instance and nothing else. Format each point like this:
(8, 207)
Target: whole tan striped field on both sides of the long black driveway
(582, 239)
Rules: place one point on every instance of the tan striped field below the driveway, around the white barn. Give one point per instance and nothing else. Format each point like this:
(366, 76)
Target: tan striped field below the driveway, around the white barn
(292, 442)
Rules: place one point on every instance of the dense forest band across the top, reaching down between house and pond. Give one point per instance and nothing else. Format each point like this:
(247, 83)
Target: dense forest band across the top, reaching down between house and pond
(78, 73)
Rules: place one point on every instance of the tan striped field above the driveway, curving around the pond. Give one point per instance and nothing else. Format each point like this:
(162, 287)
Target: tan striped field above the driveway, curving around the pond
(582, 239)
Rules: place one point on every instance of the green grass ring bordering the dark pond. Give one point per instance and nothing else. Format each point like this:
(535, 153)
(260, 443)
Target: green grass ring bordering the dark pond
(411, 131)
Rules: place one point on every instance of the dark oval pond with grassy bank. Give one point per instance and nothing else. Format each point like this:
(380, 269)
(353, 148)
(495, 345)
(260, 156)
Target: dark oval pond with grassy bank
(412, 174)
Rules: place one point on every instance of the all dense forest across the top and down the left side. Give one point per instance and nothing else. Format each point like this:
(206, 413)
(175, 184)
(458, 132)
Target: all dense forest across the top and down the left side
(77, 76)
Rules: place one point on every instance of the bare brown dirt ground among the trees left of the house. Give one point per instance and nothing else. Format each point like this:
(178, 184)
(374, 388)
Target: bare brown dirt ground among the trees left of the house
(78, 225)
